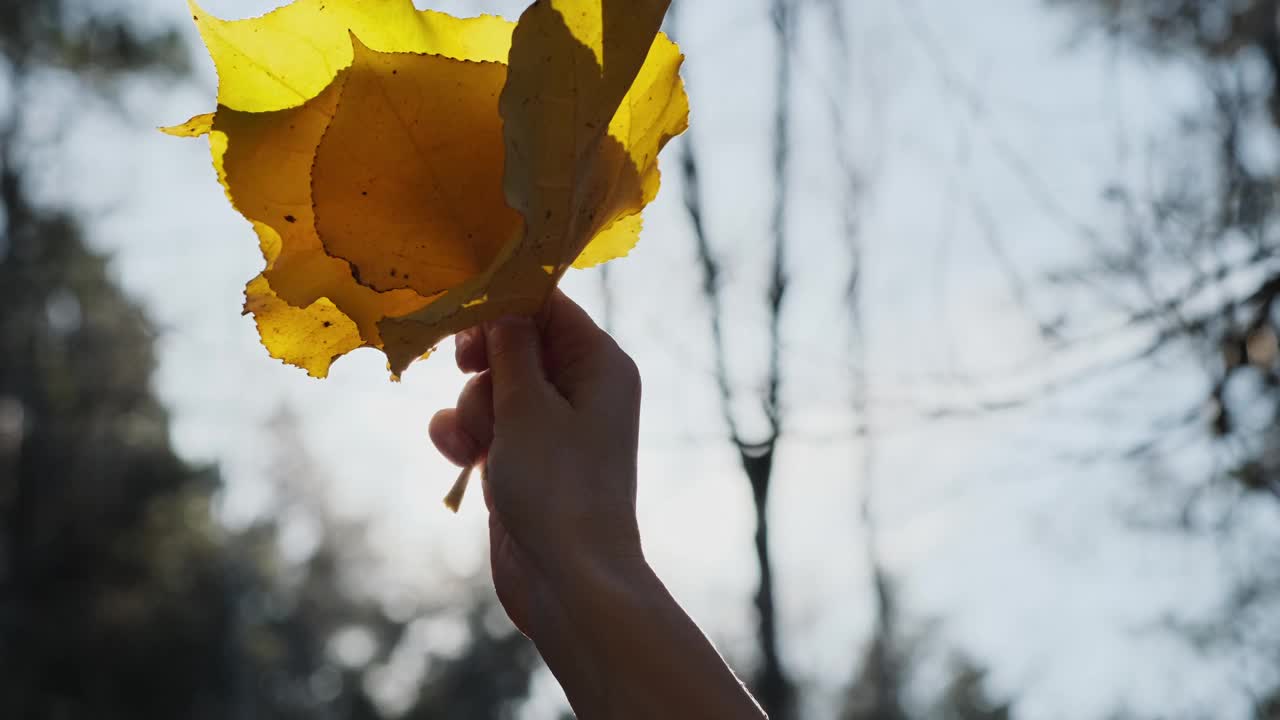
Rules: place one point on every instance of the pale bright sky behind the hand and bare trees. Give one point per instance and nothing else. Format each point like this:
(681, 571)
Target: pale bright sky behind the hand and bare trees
(979, 125)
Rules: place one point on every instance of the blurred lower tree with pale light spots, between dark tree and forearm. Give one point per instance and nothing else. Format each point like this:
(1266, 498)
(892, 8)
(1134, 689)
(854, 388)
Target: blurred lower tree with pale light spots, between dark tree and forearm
(330, 598)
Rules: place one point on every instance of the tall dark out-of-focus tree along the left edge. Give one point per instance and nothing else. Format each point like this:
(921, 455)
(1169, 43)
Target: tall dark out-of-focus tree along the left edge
(107, 536)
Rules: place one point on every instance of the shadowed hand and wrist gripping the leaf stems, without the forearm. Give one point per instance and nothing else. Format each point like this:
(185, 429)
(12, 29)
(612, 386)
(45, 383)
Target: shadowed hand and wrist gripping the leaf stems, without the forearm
(554, 416)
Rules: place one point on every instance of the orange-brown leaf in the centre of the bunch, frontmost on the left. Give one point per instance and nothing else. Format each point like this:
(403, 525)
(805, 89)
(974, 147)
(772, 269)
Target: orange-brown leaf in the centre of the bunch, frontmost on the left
(408, 181)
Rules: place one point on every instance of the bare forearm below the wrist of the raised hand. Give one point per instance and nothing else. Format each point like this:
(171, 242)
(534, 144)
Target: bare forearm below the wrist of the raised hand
(623, 648)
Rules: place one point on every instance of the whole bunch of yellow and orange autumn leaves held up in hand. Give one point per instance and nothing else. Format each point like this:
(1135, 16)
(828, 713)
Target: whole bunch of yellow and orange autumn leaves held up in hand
(412, 175)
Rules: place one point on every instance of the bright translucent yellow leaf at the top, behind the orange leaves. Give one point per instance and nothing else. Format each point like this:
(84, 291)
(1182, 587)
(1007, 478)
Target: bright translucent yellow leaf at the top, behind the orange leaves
(287, 57)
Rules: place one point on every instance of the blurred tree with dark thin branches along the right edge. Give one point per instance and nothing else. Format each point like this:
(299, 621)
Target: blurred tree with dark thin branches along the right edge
(1196, 266)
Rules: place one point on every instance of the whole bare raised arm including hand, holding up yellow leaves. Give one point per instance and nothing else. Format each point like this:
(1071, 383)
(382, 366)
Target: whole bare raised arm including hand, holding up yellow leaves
(555, 416)
